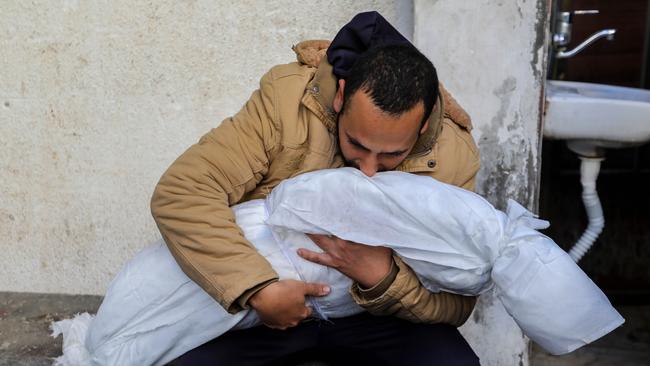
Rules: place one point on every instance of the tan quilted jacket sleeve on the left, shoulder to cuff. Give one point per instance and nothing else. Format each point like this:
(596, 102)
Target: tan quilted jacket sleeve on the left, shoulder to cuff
(191, 202)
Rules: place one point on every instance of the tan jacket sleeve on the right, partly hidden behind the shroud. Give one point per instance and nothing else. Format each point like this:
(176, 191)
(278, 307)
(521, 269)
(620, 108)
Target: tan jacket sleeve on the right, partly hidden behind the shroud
(400, 293)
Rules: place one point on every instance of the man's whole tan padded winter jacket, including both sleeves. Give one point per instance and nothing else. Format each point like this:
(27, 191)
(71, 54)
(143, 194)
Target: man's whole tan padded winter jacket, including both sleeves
(288, 128)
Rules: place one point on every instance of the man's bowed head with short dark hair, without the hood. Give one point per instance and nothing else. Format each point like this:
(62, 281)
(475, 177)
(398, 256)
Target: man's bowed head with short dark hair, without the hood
(384, 105)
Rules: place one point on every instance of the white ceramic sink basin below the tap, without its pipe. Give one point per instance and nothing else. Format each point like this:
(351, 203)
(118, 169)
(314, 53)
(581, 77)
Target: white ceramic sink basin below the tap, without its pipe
(597, 115)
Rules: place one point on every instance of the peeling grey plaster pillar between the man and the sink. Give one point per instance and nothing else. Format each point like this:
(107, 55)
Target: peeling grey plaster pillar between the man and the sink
(491, 56)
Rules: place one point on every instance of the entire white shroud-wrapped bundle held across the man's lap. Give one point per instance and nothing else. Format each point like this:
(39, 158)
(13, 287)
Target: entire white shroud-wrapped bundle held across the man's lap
(454, 239)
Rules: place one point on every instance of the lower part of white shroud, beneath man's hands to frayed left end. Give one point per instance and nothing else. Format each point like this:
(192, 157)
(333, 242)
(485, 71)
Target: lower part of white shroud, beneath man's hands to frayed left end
(153, 313)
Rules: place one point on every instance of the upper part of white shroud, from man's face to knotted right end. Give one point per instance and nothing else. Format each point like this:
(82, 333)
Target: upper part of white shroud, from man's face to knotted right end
(455, 241)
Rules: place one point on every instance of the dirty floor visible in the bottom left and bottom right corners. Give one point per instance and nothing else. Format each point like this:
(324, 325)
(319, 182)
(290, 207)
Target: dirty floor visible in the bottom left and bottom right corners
(25, 335)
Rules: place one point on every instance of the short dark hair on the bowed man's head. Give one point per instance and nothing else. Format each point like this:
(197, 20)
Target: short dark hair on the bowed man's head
(396, 78)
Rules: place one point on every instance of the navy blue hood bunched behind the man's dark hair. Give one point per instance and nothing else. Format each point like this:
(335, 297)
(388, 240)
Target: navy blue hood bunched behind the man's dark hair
(364, 31)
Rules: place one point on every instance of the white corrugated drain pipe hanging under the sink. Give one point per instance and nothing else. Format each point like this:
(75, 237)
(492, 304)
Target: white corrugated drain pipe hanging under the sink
(589, 169)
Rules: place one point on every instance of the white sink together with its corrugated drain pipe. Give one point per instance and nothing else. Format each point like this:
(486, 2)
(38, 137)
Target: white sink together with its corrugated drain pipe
(591, 117)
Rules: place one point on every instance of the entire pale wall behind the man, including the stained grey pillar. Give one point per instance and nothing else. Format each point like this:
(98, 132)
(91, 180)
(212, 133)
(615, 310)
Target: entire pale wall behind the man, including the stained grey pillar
(98, 98)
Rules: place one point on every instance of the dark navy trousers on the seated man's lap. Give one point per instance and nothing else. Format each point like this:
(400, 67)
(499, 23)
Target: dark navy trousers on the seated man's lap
(359, 340)
